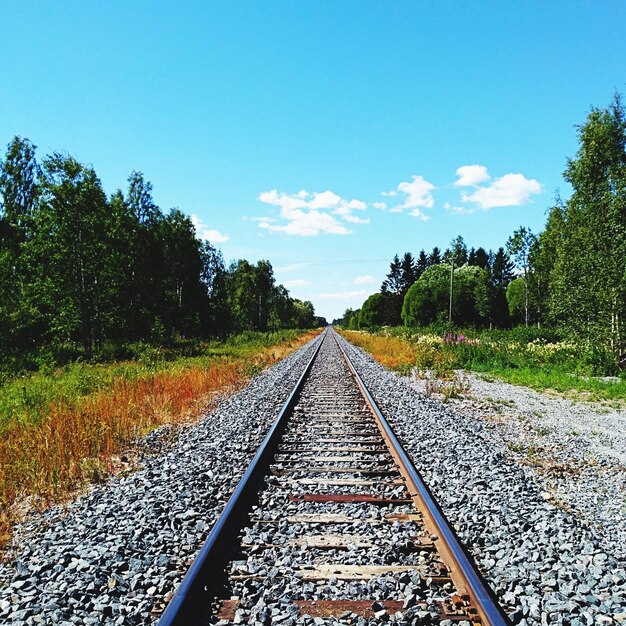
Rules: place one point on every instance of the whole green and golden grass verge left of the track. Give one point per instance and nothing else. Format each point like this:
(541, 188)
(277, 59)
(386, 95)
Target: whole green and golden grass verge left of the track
(63, 428)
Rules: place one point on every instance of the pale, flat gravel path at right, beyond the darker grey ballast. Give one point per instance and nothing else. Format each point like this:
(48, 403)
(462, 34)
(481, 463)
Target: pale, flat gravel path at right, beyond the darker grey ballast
(577, 449)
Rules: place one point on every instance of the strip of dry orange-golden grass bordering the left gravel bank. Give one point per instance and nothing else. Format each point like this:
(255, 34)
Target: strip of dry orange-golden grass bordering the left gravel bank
(77, 441)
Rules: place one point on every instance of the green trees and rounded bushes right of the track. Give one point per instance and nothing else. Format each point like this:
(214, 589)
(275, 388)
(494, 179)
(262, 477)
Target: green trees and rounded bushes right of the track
(569, 279)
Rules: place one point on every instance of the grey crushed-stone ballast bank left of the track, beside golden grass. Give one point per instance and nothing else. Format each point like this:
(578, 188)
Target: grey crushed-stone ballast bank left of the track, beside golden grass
(115, 555)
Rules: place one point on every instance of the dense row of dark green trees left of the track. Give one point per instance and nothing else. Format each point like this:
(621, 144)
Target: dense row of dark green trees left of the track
(86, 275)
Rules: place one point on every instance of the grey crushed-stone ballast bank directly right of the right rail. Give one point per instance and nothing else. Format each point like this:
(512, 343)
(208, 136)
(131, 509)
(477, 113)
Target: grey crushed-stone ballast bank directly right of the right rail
(546, 564)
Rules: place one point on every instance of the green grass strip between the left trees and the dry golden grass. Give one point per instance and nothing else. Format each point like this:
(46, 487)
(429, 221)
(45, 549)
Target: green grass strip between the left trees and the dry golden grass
(25, 398)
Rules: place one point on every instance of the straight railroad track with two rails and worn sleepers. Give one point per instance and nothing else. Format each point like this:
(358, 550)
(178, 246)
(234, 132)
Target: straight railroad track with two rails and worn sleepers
(332, 521)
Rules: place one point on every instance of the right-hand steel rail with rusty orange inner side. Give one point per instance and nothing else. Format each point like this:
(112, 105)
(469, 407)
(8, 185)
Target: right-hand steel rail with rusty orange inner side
(463, 569)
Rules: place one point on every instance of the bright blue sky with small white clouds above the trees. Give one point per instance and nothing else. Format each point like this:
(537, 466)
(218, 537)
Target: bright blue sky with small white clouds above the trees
(280, 125)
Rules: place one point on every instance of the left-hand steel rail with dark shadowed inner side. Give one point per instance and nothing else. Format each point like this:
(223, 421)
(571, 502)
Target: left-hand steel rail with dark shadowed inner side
(191, 603)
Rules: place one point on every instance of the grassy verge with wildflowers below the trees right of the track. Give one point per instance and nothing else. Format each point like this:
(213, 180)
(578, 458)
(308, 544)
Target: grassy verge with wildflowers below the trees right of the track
(521, 357)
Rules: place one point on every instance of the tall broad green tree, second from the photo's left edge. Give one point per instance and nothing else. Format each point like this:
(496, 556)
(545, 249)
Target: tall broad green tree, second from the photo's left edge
(69, 253)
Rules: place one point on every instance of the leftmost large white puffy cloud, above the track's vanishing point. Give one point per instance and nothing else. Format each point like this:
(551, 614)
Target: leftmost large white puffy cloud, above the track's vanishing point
(309, 214)
